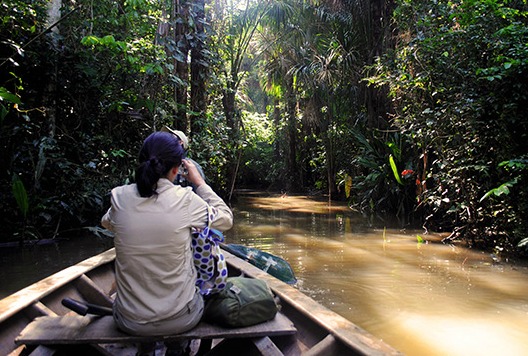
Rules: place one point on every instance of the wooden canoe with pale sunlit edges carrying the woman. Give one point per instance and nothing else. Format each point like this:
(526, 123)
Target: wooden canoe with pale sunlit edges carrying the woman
(319, 331)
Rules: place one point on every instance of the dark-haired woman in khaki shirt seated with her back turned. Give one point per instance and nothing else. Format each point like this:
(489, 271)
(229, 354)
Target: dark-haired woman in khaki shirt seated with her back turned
(152, 221)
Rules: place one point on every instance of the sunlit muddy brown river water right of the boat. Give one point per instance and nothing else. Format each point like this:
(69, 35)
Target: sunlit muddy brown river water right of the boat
(422, 298)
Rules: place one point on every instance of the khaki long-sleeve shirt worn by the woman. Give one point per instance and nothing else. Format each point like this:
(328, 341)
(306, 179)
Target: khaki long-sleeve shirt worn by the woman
(155, 274)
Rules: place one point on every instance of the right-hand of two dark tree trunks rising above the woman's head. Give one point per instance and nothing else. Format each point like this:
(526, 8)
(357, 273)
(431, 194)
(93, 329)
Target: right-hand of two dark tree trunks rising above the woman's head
(199, 73)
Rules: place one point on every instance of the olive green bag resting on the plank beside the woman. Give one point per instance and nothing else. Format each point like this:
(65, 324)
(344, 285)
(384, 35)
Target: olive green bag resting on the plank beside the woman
(243, 302)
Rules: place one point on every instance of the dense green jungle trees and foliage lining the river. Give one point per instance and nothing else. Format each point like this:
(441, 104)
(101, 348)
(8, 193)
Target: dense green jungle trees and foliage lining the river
(415, 109)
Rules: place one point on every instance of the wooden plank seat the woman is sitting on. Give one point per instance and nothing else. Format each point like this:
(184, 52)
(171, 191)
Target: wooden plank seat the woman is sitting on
(76, 329)
